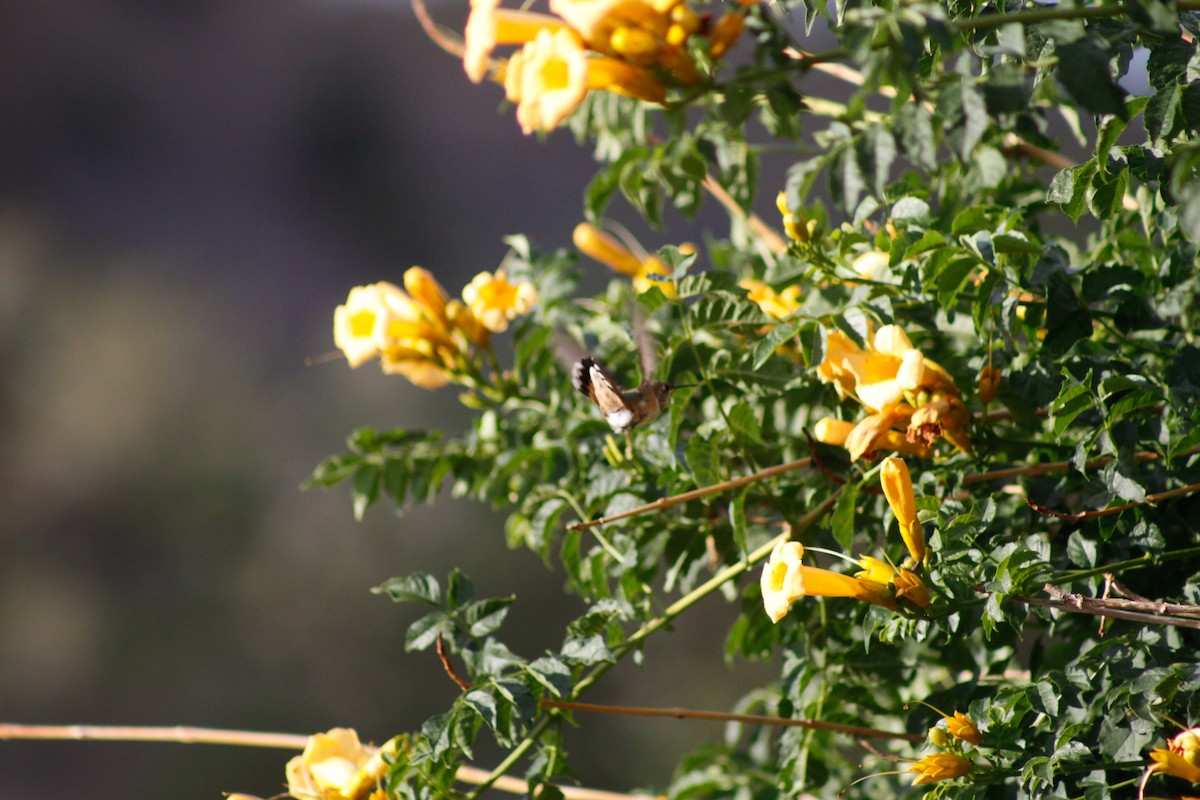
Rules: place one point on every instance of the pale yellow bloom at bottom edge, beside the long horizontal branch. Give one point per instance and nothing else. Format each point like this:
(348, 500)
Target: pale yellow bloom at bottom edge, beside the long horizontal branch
(337, 767)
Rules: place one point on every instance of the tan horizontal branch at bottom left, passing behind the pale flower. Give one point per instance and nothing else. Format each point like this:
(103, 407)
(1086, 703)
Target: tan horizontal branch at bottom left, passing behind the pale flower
(191, 736)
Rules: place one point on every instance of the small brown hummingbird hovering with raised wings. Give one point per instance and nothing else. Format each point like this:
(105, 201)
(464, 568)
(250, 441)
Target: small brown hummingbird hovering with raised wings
(625, 408)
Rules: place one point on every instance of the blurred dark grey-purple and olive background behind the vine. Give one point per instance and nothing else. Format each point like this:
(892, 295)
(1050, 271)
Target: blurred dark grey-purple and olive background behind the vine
(187, 193)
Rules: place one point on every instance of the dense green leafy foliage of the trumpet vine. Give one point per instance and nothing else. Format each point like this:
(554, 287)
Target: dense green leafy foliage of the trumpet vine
(1078, 284)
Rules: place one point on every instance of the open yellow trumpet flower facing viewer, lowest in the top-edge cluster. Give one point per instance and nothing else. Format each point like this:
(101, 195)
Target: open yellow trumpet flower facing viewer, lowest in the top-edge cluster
(551, 75)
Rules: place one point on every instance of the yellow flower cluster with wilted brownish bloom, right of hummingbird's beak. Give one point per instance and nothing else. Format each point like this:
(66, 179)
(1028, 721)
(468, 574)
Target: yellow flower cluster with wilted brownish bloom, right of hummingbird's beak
(911, 401)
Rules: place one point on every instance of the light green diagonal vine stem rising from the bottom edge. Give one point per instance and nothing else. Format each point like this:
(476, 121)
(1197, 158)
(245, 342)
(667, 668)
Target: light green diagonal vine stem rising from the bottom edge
(649, 629)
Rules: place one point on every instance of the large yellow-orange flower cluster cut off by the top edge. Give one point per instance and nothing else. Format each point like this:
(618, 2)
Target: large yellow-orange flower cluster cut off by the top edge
(628, 47)
